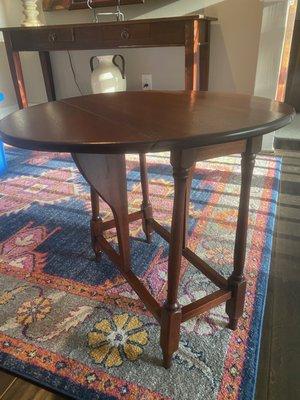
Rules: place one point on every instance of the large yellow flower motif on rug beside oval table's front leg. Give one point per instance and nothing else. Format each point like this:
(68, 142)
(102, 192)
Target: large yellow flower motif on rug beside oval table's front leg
(112, 339)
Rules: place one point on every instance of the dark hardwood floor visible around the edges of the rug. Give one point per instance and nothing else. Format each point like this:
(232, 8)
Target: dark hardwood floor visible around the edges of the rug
(279, 370)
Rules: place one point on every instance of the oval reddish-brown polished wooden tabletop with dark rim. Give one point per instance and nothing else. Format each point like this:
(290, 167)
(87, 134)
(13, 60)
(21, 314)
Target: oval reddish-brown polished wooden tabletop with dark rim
(142, 121)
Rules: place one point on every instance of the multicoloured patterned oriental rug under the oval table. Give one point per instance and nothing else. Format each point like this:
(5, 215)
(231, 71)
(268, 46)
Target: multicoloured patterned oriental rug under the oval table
(75, 326)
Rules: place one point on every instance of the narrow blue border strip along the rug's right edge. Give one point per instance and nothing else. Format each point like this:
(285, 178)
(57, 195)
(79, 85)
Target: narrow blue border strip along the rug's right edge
(248, 384)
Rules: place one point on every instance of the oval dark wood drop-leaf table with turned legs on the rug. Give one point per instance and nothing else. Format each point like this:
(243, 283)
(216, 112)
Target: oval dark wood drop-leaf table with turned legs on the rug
(99, 129)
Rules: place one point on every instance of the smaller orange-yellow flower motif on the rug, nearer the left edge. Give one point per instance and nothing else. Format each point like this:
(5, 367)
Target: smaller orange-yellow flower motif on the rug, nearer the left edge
(33, 310)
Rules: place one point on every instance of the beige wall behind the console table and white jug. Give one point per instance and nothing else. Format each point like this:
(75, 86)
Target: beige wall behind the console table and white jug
(234, 48)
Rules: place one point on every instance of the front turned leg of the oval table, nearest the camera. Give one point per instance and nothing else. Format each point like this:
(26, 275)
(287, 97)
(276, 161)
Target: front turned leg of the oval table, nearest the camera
(171, 312)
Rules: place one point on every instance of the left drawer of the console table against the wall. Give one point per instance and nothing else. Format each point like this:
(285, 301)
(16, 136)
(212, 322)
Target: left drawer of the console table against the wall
(42, 39)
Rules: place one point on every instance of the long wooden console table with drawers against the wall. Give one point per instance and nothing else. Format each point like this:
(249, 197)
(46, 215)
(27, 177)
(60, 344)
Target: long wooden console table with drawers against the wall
(192, 32)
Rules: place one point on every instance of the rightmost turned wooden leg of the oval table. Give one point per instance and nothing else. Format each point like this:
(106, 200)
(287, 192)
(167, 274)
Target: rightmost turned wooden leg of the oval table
(237, 282)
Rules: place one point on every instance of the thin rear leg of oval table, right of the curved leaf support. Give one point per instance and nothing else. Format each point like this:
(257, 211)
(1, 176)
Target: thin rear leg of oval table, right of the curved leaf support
(146, 205)
